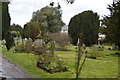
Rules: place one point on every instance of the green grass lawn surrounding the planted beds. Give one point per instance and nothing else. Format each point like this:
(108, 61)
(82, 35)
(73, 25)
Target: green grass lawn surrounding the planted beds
(103, 67)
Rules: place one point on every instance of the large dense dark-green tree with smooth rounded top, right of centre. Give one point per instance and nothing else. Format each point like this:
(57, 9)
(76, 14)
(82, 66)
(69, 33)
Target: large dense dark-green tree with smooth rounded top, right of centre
(86, 23)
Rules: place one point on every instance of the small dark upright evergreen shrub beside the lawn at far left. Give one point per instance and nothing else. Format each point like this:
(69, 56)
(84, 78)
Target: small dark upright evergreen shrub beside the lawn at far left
(9, 40)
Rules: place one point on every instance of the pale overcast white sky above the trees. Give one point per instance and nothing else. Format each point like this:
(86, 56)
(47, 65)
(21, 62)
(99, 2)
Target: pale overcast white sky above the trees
(21, 10)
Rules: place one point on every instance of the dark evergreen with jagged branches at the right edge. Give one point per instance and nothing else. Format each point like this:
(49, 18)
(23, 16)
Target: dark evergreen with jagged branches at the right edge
(112, 23)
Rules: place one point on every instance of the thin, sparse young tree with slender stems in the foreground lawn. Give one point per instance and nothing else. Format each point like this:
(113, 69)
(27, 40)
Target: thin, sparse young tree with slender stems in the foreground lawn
(81, 56)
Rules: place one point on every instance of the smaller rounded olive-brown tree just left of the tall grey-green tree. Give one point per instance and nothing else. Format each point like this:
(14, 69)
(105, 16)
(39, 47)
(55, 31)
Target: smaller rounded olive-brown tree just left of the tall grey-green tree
(31, 30)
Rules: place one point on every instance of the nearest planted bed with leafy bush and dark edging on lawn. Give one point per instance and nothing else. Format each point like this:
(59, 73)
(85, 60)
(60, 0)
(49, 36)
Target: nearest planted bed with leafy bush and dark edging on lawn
(50, 63)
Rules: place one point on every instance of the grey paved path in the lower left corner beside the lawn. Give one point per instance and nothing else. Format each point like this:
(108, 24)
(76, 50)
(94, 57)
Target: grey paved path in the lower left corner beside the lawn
(9, 70)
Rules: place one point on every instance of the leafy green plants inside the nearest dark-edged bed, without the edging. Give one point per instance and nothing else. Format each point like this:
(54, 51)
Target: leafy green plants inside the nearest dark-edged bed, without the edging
(51, 61)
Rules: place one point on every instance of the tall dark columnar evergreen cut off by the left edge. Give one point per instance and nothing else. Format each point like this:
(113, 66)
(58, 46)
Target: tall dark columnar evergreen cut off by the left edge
(5, 18)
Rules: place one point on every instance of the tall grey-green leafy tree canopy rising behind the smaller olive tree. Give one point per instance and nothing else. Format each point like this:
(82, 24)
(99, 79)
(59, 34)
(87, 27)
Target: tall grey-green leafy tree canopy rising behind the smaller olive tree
(49, 18)
